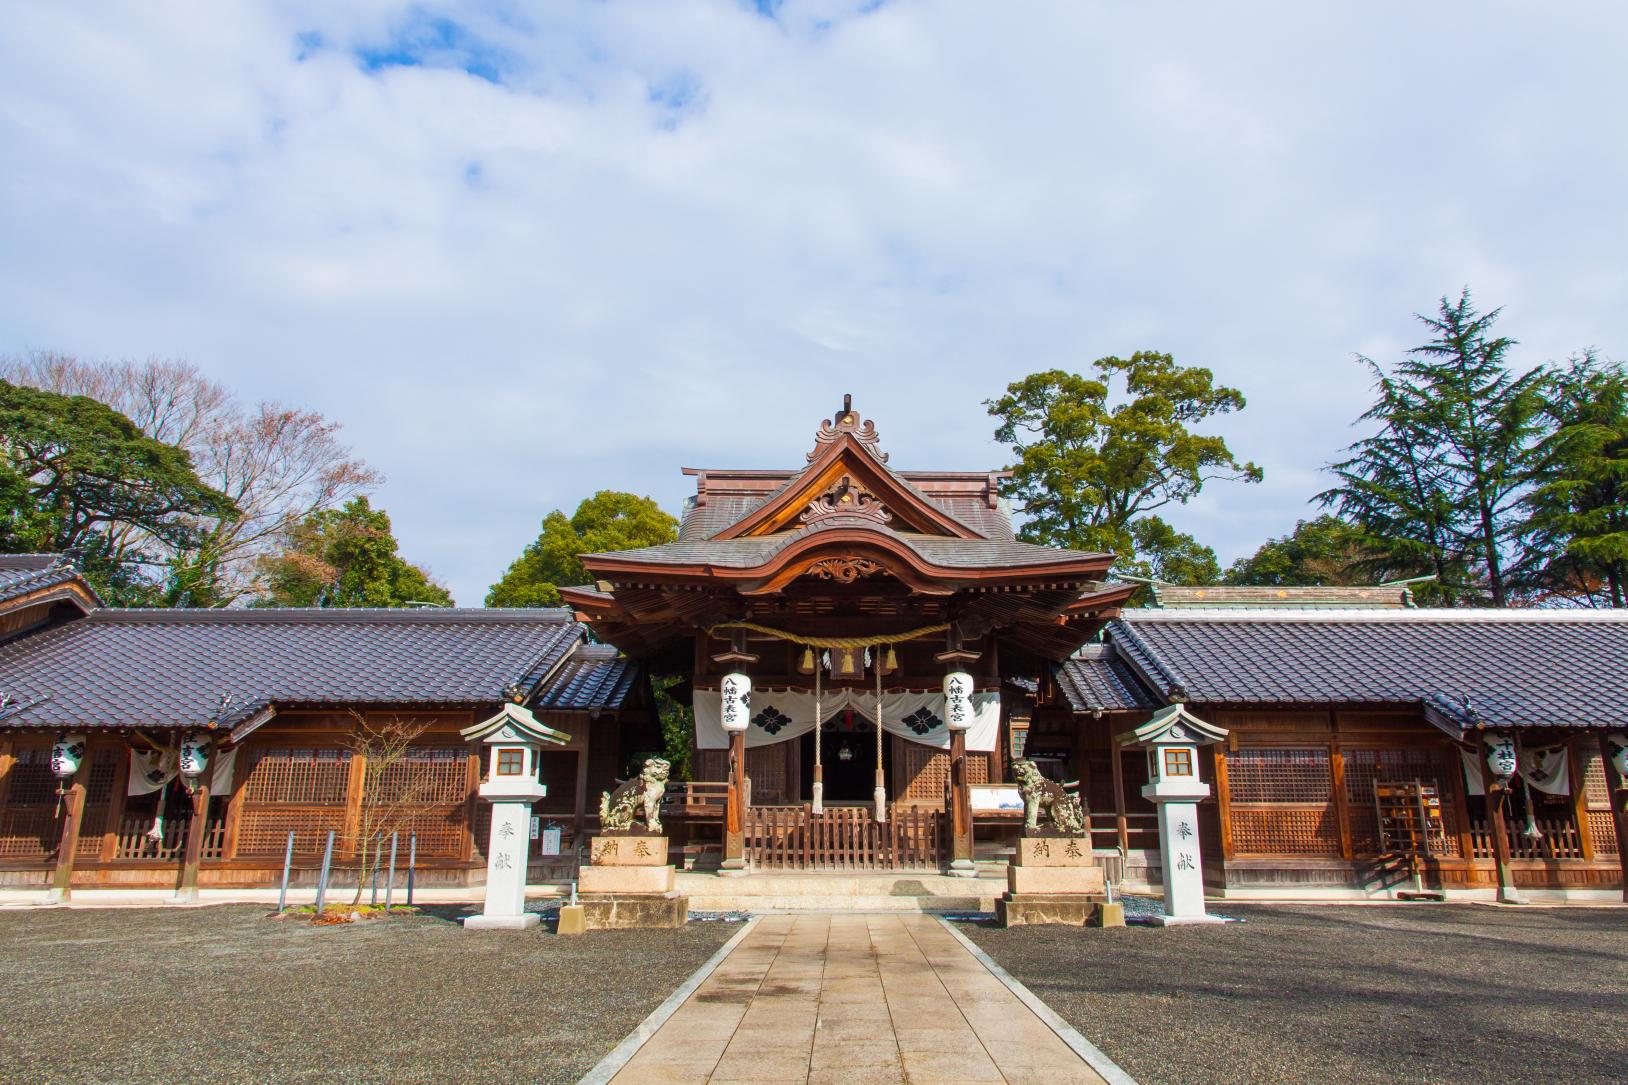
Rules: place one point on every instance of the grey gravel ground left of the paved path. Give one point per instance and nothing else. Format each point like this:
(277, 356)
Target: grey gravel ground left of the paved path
(224, 995)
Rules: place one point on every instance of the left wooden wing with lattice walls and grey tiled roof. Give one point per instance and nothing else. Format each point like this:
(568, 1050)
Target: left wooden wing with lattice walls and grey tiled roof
(276, 700)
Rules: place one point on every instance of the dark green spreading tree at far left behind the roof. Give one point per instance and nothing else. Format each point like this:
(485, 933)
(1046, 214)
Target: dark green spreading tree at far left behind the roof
(77, 477)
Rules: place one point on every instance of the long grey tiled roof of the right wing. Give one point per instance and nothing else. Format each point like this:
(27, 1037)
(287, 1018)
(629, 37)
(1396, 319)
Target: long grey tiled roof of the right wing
(1494, 669)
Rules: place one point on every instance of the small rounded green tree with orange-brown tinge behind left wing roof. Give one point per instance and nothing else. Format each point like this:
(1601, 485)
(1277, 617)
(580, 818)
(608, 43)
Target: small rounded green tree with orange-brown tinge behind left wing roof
(346, 558)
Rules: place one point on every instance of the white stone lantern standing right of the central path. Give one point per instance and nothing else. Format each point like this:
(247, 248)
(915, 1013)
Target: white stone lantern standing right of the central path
(1173, 739)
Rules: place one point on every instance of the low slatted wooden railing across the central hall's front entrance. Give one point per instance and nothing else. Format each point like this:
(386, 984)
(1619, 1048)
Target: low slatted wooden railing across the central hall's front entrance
(844, 838)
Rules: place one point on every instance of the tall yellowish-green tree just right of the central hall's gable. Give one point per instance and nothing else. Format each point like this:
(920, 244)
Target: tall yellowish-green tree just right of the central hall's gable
(1098, 455)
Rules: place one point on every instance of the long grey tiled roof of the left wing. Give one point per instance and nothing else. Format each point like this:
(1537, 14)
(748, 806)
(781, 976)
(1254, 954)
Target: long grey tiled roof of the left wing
(173, 669)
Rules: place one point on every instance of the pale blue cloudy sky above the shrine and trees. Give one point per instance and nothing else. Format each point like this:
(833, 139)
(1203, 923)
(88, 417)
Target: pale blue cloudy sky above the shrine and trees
(528, 252)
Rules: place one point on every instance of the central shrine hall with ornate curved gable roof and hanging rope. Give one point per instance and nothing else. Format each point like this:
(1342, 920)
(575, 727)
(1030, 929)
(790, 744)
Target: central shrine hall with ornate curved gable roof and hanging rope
(846, 592)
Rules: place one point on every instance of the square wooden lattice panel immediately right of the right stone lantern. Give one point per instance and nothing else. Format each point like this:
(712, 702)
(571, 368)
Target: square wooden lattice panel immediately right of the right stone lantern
(1282, 802)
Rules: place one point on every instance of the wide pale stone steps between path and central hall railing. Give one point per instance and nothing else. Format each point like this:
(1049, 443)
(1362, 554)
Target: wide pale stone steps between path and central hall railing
(838, 892)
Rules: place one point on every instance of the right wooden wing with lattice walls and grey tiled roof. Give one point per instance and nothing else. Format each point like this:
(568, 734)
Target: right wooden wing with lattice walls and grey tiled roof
(1362, 703)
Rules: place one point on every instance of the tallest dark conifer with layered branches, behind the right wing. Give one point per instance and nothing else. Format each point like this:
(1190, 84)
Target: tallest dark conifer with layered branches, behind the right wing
(1440, 488)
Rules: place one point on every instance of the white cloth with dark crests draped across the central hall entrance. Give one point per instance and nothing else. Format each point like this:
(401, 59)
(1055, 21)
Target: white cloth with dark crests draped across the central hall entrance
(782, 716)
